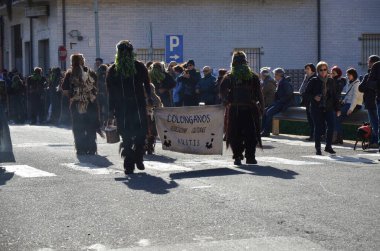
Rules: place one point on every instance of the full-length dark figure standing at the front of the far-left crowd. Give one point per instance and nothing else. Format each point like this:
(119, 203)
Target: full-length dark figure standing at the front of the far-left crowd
(36, 84)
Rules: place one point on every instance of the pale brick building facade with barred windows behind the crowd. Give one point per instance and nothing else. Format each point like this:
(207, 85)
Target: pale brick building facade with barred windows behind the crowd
(275, 33)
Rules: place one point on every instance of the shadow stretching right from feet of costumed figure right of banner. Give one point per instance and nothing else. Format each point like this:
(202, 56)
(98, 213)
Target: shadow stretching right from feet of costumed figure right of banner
(269, 171)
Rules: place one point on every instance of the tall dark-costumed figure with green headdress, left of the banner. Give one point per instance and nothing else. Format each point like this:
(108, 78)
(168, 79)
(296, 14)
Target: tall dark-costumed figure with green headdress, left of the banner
(128, 86)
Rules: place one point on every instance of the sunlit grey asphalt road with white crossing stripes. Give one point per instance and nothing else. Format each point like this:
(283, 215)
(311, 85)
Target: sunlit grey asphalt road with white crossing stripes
(292, 200)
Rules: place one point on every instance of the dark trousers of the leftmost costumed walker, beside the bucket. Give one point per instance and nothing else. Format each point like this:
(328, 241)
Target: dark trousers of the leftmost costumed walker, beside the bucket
(84, 128)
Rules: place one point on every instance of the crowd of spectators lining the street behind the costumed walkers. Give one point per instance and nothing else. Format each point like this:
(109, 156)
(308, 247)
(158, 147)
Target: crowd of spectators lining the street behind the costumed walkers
(328, 95)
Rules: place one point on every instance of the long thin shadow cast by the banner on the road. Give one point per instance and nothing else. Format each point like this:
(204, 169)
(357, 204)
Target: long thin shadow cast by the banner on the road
(205, 173)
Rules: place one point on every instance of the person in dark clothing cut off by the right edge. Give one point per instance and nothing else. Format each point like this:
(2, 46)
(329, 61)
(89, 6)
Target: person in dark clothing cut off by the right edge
(369, 99)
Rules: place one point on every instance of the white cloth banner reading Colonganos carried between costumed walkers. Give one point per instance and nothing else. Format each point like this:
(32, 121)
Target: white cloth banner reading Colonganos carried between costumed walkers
(194, 130)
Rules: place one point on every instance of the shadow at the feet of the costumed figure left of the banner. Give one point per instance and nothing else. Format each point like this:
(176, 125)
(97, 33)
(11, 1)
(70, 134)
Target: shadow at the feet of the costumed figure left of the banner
(148, 183)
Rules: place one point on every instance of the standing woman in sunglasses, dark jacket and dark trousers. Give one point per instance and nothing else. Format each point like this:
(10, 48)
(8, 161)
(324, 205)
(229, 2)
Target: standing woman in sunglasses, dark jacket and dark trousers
(322, 92)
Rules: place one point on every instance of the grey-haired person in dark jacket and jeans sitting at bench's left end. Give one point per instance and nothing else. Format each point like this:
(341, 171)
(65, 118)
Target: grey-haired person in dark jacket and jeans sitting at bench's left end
(283, 99)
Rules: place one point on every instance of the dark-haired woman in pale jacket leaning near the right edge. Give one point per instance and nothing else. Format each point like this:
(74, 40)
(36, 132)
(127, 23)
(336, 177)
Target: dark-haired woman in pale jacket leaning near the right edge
(352, 101)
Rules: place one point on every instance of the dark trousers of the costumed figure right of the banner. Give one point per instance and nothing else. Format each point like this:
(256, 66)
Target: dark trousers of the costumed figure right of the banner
(242, 132)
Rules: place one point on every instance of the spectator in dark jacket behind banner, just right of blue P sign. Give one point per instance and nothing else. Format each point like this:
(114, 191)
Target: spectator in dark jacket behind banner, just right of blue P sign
(190, 79)
